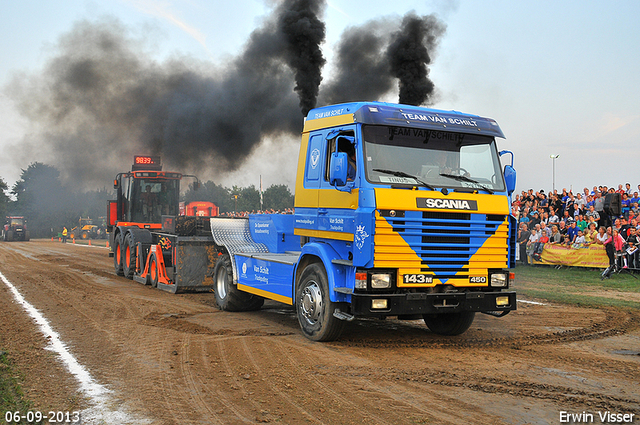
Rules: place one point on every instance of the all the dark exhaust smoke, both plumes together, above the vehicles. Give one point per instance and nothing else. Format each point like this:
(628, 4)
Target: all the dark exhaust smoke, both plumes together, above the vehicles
(102, 98)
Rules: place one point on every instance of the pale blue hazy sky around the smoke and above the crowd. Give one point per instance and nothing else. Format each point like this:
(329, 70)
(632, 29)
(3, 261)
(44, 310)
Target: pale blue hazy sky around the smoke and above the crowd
(559, 77)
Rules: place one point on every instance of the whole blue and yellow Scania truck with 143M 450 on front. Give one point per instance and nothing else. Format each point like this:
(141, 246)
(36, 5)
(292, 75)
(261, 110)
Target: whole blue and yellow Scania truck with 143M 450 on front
(400, 211)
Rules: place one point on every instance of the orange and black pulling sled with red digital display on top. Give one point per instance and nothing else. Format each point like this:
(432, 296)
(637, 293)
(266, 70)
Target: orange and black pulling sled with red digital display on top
(150, 242)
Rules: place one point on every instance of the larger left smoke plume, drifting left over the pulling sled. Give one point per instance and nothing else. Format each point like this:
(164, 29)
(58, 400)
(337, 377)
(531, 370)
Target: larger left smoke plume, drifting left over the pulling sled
(102, 99)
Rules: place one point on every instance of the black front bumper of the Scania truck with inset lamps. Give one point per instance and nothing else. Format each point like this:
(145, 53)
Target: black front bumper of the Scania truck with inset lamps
(363, 305)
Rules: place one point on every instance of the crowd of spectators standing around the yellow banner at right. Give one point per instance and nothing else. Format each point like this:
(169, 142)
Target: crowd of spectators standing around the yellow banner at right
(579, 220)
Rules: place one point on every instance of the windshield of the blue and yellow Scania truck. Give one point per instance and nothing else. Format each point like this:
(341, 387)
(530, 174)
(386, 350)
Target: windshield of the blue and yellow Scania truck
(433, 158)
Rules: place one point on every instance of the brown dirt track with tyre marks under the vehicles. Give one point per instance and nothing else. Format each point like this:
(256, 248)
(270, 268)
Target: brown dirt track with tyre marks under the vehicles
(176, 359)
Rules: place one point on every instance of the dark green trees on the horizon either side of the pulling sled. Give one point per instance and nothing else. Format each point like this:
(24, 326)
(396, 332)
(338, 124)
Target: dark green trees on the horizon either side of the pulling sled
(48, 204)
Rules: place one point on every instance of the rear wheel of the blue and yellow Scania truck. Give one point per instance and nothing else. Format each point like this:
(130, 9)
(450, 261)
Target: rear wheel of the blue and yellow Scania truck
(228, 296)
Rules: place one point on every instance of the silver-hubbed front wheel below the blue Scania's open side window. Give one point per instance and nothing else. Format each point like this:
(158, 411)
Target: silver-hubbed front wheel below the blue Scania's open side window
(314, 307)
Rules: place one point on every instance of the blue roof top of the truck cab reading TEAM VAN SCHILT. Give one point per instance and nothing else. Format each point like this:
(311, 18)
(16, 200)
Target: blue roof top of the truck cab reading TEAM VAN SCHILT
(410, 116)
